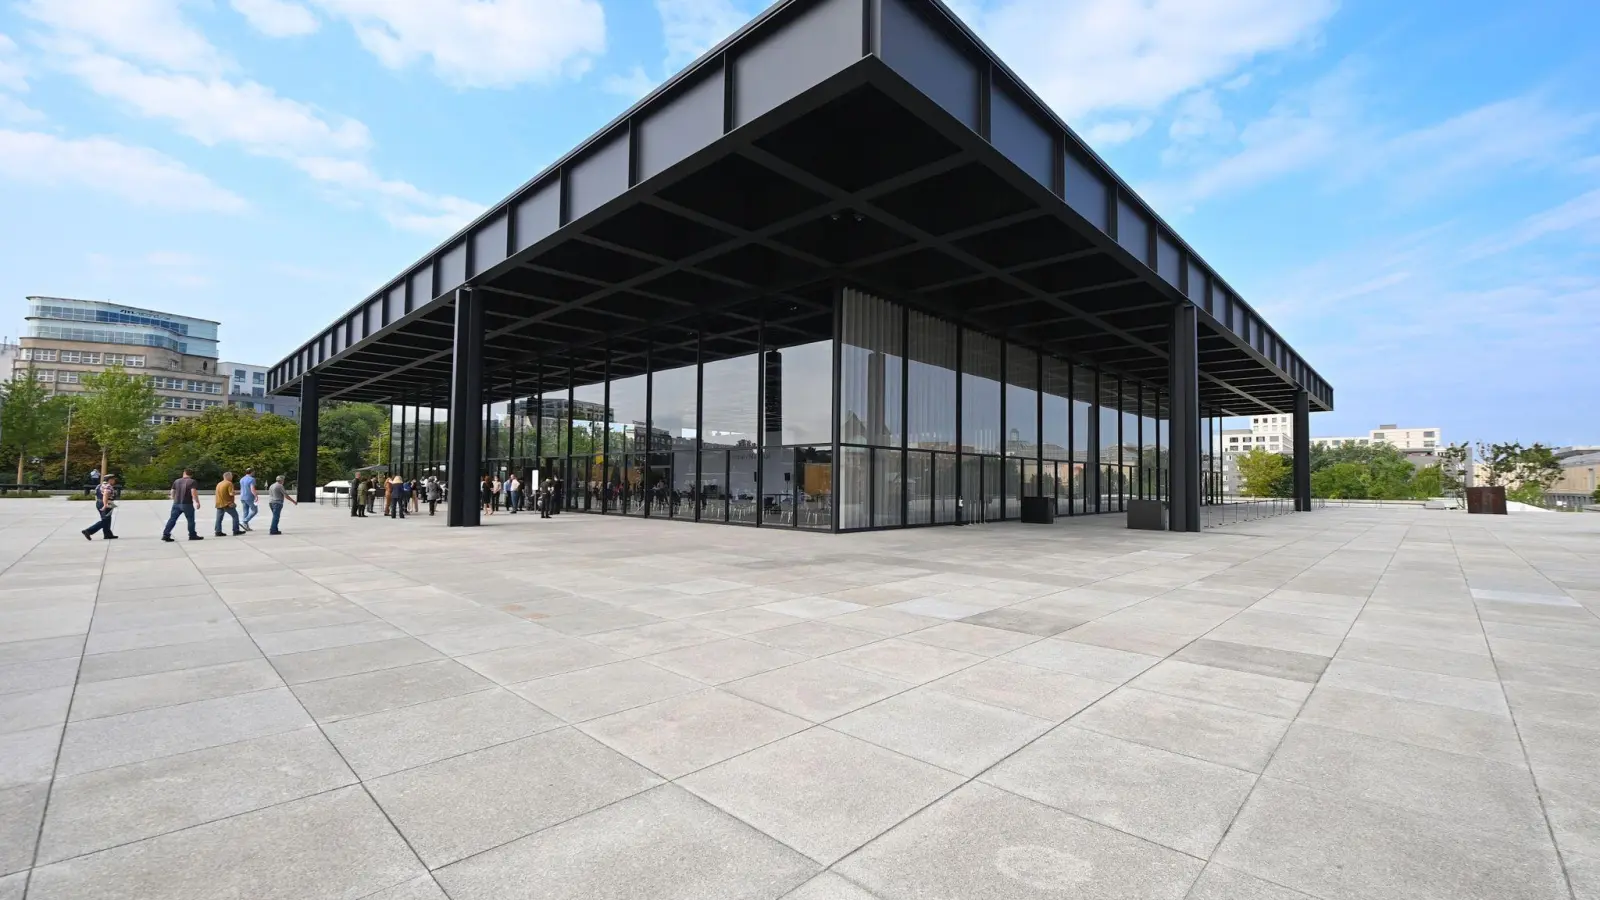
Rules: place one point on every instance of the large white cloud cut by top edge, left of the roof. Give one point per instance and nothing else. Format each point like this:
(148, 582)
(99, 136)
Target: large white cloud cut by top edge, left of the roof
(481, 44)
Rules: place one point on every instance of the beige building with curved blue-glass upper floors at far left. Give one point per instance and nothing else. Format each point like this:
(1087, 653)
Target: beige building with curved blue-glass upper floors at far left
(65, 340)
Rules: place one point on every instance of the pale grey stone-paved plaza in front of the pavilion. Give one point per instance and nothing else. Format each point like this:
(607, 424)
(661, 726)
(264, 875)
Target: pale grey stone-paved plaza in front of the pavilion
(1350, 704)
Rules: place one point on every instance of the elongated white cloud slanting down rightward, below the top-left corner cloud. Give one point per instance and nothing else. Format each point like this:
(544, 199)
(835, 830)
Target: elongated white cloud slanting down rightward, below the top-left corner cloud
(220, 111)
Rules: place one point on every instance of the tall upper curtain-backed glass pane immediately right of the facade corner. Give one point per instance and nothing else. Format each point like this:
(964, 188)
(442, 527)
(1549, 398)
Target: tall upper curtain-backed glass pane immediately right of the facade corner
(870, 368)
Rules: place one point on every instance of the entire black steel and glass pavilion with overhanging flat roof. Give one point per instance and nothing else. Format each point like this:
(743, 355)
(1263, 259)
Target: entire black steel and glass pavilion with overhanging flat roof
(858, 275)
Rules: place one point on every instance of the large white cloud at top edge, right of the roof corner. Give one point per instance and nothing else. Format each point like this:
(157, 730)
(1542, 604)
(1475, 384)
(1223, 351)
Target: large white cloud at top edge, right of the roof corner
(1089, 57)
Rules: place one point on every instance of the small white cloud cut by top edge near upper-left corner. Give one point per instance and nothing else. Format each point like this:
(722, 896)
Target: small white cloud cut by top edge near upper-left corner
(150, 31)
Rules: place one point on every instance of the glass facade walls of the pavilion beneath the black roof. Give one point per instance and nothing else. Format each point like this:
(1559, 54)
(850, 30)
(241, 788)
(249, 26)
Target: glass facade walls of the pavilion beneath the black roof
(897, 420)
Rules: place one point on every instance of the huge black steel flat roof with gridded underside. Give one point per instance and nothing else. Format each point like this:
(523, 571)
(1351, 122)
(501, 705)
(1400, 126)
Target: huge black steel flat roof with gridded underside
(871, 143)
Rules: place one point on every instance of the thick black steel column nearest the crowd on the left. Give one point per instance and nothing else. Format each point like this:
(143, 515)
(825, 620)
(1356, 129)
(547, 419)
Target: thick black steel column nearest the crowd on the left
(466, 409)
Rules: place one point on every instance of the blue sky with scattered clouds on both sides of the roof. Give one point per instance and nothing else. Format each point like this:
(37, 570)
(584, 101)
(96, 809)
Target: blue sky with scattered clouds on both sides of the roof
(1410, 193)
